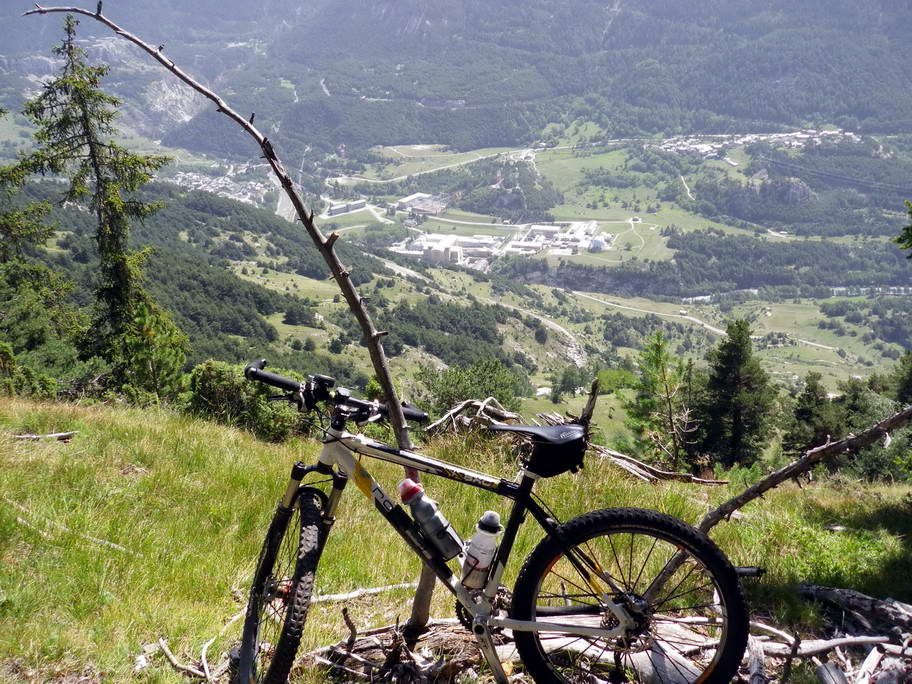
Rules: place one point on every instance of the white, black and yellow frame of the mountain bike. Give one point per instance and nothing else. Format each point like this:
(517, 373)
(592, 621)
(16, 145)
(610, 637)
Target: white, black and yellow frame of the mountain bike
(338, 451)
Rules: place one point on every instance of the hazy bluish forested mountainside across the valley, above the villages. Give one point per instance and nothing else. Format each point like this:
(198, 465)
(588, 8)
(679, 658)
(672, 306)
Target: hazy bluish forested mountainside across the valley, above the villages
(473, 74)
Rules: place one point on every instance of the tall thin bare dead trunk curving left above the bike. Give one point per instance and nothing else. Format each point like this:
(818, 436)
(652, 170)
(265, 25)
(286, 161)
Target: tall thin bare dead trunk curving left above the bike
(324, 245)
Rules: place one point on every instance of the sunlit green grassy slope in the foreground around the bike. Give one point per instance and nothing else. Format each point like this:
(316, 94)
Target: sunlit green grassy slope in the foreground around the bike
(191, 500)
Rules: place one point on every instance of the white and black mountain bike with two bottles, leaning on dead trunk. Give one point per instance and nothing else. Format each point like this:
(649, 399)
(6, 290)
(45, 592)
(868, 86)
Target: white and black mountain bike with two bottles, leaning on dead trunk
(614, 595)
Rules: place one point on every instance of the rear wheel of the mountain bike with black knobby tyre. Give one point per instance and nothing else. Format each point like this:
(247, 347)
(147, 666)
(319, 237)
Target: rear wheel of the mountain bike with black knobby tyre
(687, 616)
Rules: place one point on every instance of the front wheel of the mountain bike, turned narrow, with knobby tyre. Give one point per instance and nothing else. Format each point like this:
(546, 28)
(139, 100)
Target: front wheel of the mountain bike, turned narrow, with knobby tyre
(280, 595)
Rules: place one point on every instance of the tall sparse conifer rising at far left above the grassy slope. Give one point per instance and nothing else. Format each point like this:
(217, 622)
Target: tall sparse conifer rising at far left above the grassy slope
(75, 130)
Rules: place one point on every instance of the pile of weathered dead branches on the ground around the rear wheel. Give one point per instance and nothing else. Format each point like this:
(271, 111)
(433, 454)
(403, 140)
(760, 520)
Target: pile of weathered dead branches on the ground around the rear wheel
(447, 651)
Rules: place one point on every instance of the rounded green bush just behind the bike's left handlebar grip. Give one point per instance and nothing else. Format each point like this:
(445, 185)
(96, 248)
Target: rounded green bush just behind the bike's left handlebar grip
(219, 391)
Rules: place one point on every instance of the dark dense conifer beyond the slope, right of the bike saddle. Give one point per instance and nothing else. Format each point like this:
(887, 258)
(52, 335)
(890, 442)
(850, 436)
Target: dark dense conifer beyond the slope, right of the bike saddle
(739, 400)
